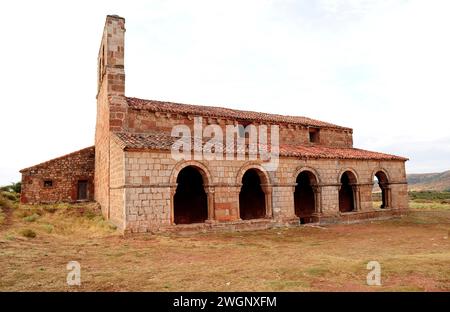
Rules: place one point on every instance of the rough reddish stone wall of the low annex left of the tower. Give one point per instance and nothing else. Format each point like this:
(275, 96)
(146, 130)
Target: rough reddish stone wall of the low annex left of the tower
(64, 173)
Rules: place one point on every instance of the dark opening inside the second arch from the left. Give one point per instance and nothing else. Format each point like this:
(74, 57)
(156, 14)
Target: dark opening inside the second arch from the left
(252, 199)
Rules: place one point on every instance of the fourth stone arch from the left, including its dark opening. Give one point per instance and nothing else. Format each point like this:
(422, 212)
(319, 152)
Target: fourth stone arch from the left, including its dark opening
(349, 195)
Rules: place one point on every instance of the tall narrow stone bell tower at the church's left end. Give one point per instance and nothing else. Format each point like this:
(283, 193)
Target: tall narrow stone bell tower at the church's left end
(111, 103)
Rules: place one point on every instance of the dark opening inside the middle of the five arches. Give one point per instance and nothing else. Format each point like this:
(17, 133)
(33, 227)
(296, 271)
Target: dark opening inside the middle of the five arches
(305, 197)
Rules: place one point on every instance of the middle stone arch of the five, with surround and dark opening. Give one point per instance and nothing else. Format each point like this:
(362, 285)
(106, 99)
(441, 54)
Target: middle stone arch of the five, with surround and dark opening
(307, 199)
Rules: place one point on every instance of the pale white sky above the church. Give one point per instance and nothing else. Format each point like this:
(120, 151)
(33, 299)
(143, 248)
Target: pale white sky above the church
(381, 67)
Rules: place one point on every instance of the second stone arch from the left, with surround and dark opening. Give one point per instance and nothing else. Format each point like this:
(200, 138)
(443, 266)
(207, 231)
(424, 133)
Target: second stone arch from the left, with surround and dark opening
(255, 196)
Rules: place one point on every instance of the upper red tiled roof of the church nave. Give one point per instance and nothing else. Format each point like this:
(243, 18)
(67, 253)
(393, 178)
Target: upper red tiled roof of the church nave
(221, 112)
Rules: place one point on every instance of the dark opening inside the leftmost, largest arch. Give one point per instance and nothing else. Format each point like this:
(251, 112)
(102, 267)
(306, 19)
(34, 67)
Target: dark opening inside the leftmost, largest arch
(190, 199)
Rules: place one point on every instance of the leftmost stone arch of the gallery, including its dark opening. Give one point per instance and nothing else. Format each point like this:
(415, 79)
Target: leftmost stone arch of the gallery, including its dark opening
(191, 192)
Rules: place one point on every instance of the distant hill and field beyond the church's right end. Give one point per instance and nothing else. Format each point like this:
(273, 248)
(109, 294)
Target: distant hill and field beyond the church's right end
(429, 181)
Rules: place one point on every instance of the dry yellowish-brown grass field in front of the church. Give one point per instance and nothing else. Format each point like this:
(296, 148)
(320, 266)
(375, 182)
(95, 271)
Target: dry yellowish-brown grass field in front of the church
(37, 242)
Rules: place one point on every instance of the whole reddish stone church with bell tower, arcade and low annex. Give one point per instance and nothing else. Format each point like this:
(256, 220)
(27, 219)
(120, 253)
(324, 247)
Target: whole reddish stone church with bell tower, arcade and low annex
(141, 187)
